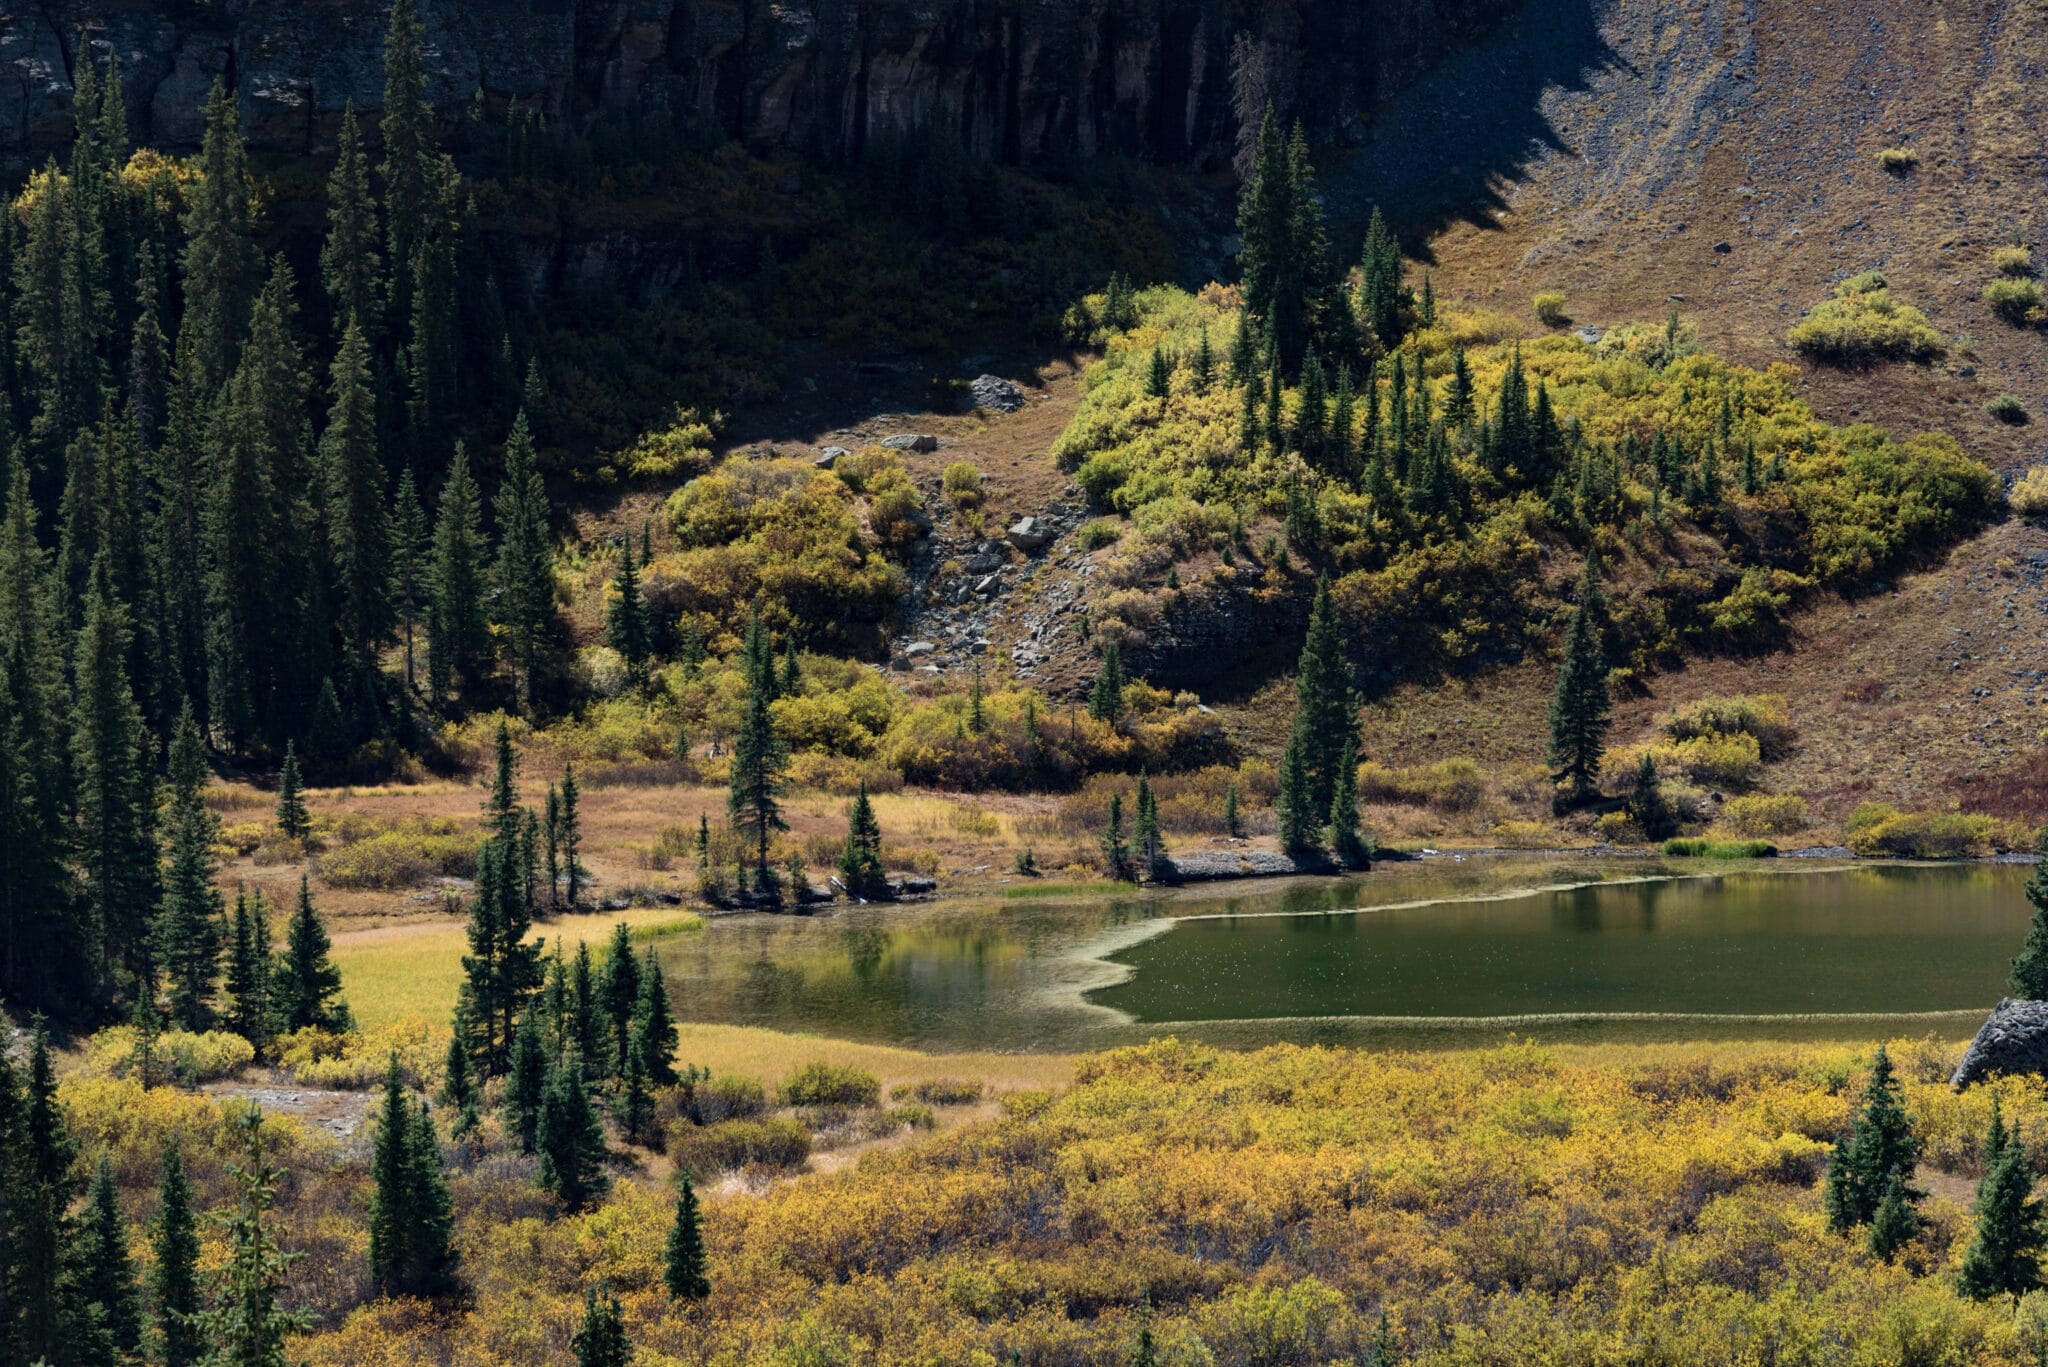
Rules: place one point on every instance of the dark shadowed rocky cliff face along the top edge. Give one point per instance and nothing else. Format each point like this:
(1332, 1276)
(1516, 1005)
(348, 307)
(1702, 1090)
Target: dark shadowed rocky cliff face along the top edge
(1023, 79)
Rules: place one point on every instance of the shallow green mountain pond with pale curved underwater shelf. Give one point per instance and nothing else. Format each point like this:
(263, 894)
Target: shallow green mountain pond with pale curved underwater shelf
(1431, 954)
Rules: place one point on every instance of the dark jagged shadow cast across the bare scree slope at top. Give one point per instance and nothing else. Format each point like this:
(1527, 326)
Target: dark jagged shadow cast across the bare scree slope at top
(1443, 151)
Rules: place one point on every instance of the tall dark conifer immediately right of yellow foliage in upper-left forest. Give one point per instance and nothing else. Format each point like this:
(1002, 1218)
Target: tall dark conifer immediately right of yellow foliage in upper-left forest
(222, 267)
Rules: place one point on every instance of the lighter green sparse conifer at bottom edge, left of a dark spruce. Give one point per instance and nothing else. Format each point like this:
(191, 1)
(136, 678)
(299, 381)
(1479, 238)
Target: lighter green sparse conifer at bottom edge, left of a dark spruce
(245, 1327)
